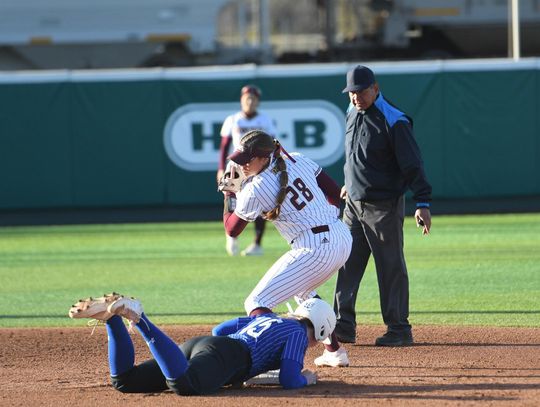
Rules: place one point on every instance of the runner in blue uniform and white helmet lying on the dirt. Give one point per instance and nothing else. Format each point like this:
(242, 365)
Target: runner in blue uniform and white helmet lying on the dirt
(239, 349)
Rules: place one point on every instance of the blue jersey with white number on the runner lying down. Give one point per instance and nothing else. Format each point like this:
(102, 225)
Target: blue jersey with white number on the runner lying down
(270, 340)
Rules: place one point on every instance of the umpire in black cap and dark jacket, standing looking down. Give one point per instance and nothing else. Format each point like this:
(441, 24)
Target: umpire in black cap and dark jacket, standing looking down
(382, 161)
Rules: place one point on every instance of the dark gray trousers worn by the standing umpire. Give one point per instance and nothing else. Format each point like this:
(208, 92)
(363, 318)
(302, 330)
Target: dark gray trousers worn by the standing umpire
(376, 228)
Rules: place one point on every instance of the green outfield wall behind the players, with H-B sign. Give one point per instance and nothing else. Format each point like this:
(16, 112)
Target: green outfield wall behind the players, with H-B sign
(91, 139)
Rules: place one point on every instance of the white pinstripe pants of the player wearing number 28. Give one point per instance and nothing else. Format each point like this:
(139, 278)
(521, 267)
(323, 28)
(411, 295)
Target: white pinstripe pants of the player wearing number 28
(312, 260)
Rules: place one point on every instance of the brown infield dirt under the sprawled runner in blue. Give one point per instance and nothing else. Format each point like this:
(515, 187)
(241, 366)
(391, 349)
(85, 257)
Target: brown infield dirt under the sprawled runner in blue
(447, 366)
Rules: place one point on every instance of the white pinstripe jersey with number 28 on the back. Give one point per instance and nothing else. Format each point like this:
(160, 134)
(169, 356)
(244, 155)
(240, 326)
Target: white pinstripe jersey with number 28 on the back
(305, 205)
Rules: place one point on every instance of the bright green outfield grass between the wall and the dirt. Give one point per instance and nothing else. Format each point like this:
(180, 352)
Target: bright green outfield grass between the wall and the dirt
(476, 270)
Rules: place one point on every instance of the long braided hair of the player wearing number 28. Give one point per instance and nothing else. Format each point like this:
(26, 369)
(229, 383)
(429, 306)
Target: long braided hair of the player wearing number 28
(257, 139)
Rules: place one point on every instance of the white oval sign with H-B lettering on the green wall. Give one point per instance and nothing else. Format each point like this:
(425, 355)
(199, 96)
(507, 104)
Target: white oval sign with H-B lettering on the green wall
(314, 128)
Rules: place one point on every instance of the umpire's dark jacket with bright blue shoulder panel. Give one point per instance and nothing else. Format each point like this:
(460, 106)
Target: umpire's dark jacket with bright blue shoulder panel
(382, 159)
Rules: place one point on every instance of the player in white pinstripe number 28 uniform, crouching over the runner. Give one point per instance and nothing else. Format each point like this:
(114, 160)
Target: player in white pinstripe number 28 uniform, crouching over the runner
(294, 193)
